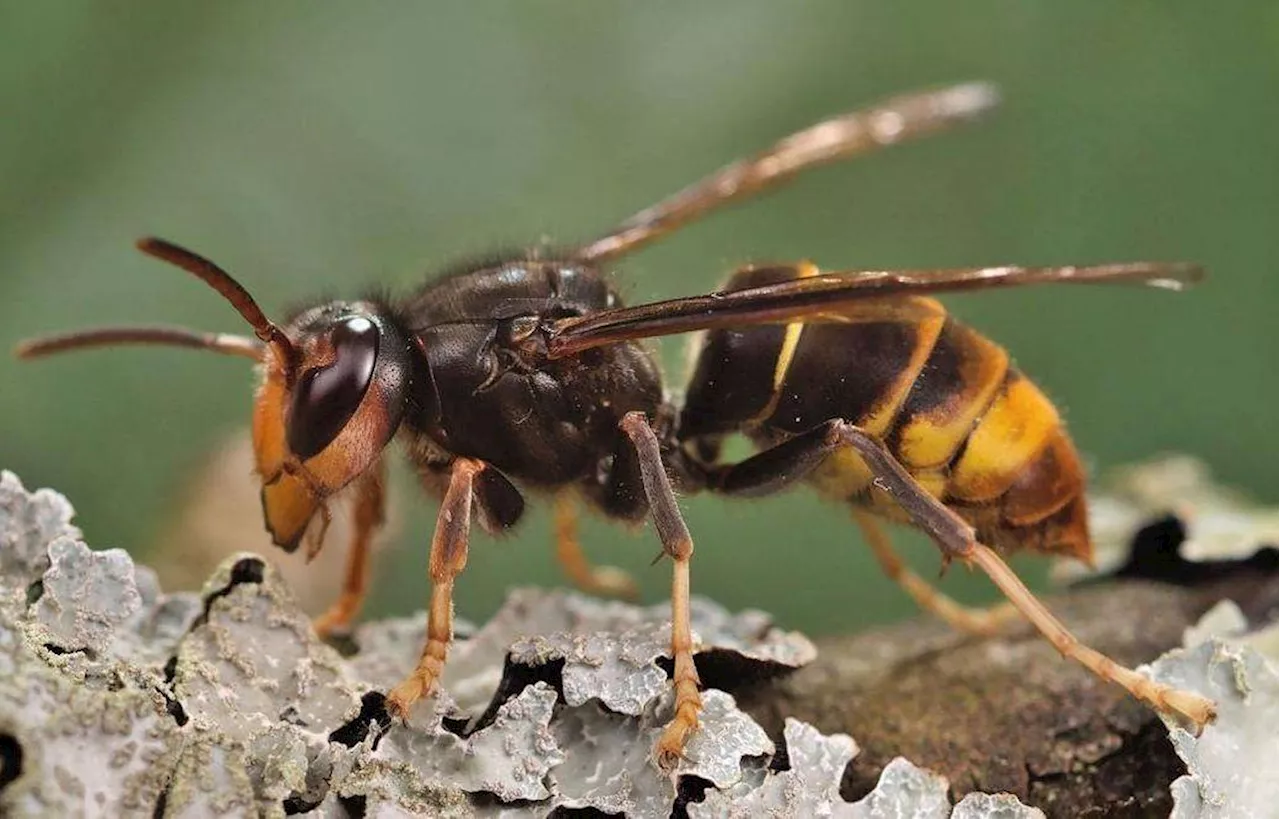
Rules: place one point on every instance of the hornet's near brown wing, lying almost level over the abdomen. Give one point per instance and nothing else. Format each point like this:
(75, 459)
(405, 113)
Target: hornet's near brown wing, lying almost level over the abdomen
(847, 296)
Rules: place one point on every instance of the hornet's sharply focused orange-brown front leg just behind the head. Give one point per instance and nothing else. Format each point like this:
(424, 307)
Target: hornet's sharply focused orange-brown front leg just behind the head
(449, 559)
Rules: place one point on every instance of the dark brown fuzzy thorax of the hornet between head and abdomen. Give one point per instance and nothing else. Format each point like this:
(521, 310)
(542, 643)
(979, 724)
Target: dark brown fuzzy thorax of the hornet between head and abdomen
(484, 387)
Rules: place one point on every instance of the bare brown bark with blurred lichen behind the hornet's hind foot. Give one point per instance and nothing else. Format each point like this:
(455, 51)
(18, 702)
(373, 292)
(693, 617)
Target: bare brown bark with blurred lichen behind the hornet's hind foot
(1009, 715)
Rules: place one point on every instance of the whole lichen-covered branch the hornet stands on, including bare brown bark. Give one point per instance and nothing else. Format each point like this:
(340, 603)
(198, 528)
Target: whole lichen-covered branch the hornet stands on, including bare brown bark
(120, 701)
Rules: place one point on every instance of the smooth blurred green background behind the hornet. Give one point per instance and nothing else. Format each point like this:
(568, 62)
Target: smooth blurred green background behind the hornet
(318, 149)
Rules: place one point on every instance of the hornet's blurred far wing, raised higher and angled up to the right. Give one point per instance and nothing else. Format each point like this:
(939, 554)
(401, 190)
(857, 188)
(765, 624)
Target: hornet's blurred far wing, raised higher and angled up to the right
(853, 135)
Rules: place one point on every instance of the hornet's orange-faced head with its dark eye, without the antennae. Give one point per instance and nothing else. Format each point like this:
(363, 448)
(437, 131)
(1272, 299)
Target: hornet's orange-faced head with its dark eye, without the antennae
(323, 424)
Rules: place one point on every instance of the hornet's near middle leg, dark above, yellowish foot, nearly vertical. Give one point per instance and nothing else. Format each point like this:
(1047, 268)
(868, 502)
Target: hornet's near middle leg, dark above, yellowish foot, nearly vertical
(678, 543)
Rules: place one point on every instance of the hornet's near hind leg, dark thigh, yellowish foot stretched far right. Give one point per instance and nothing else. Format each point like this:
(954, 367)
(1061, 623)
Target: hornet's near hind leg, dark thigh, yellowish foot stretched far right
(957, 539)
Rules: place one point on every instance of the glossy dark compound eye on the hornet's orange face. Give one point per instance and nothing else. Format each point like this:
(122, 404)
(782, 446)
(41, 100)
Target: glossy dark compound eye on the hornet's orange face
(326, 399)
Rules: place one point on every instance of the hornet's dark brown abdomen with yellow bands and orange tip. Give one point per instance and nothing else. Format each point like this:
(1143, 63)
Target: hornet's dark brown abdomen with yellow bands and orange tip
(970, 427)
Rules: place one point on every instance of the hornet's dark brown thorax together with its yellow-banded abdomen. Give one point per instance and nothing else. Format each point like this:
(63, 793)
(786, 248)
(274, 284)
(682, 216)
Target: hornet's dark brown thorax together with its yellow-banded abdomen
(970, 427)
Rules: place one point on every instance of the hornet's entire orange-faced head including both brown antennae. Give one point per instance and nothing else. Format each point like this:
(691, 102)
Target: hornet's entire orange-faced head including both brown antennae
(335, 388)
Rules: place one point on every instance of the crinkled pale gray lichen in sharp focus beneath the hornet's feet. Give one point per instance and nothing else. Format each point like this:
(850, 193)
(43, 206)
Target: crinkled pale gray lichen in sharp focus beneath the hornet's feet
(118, 701)
